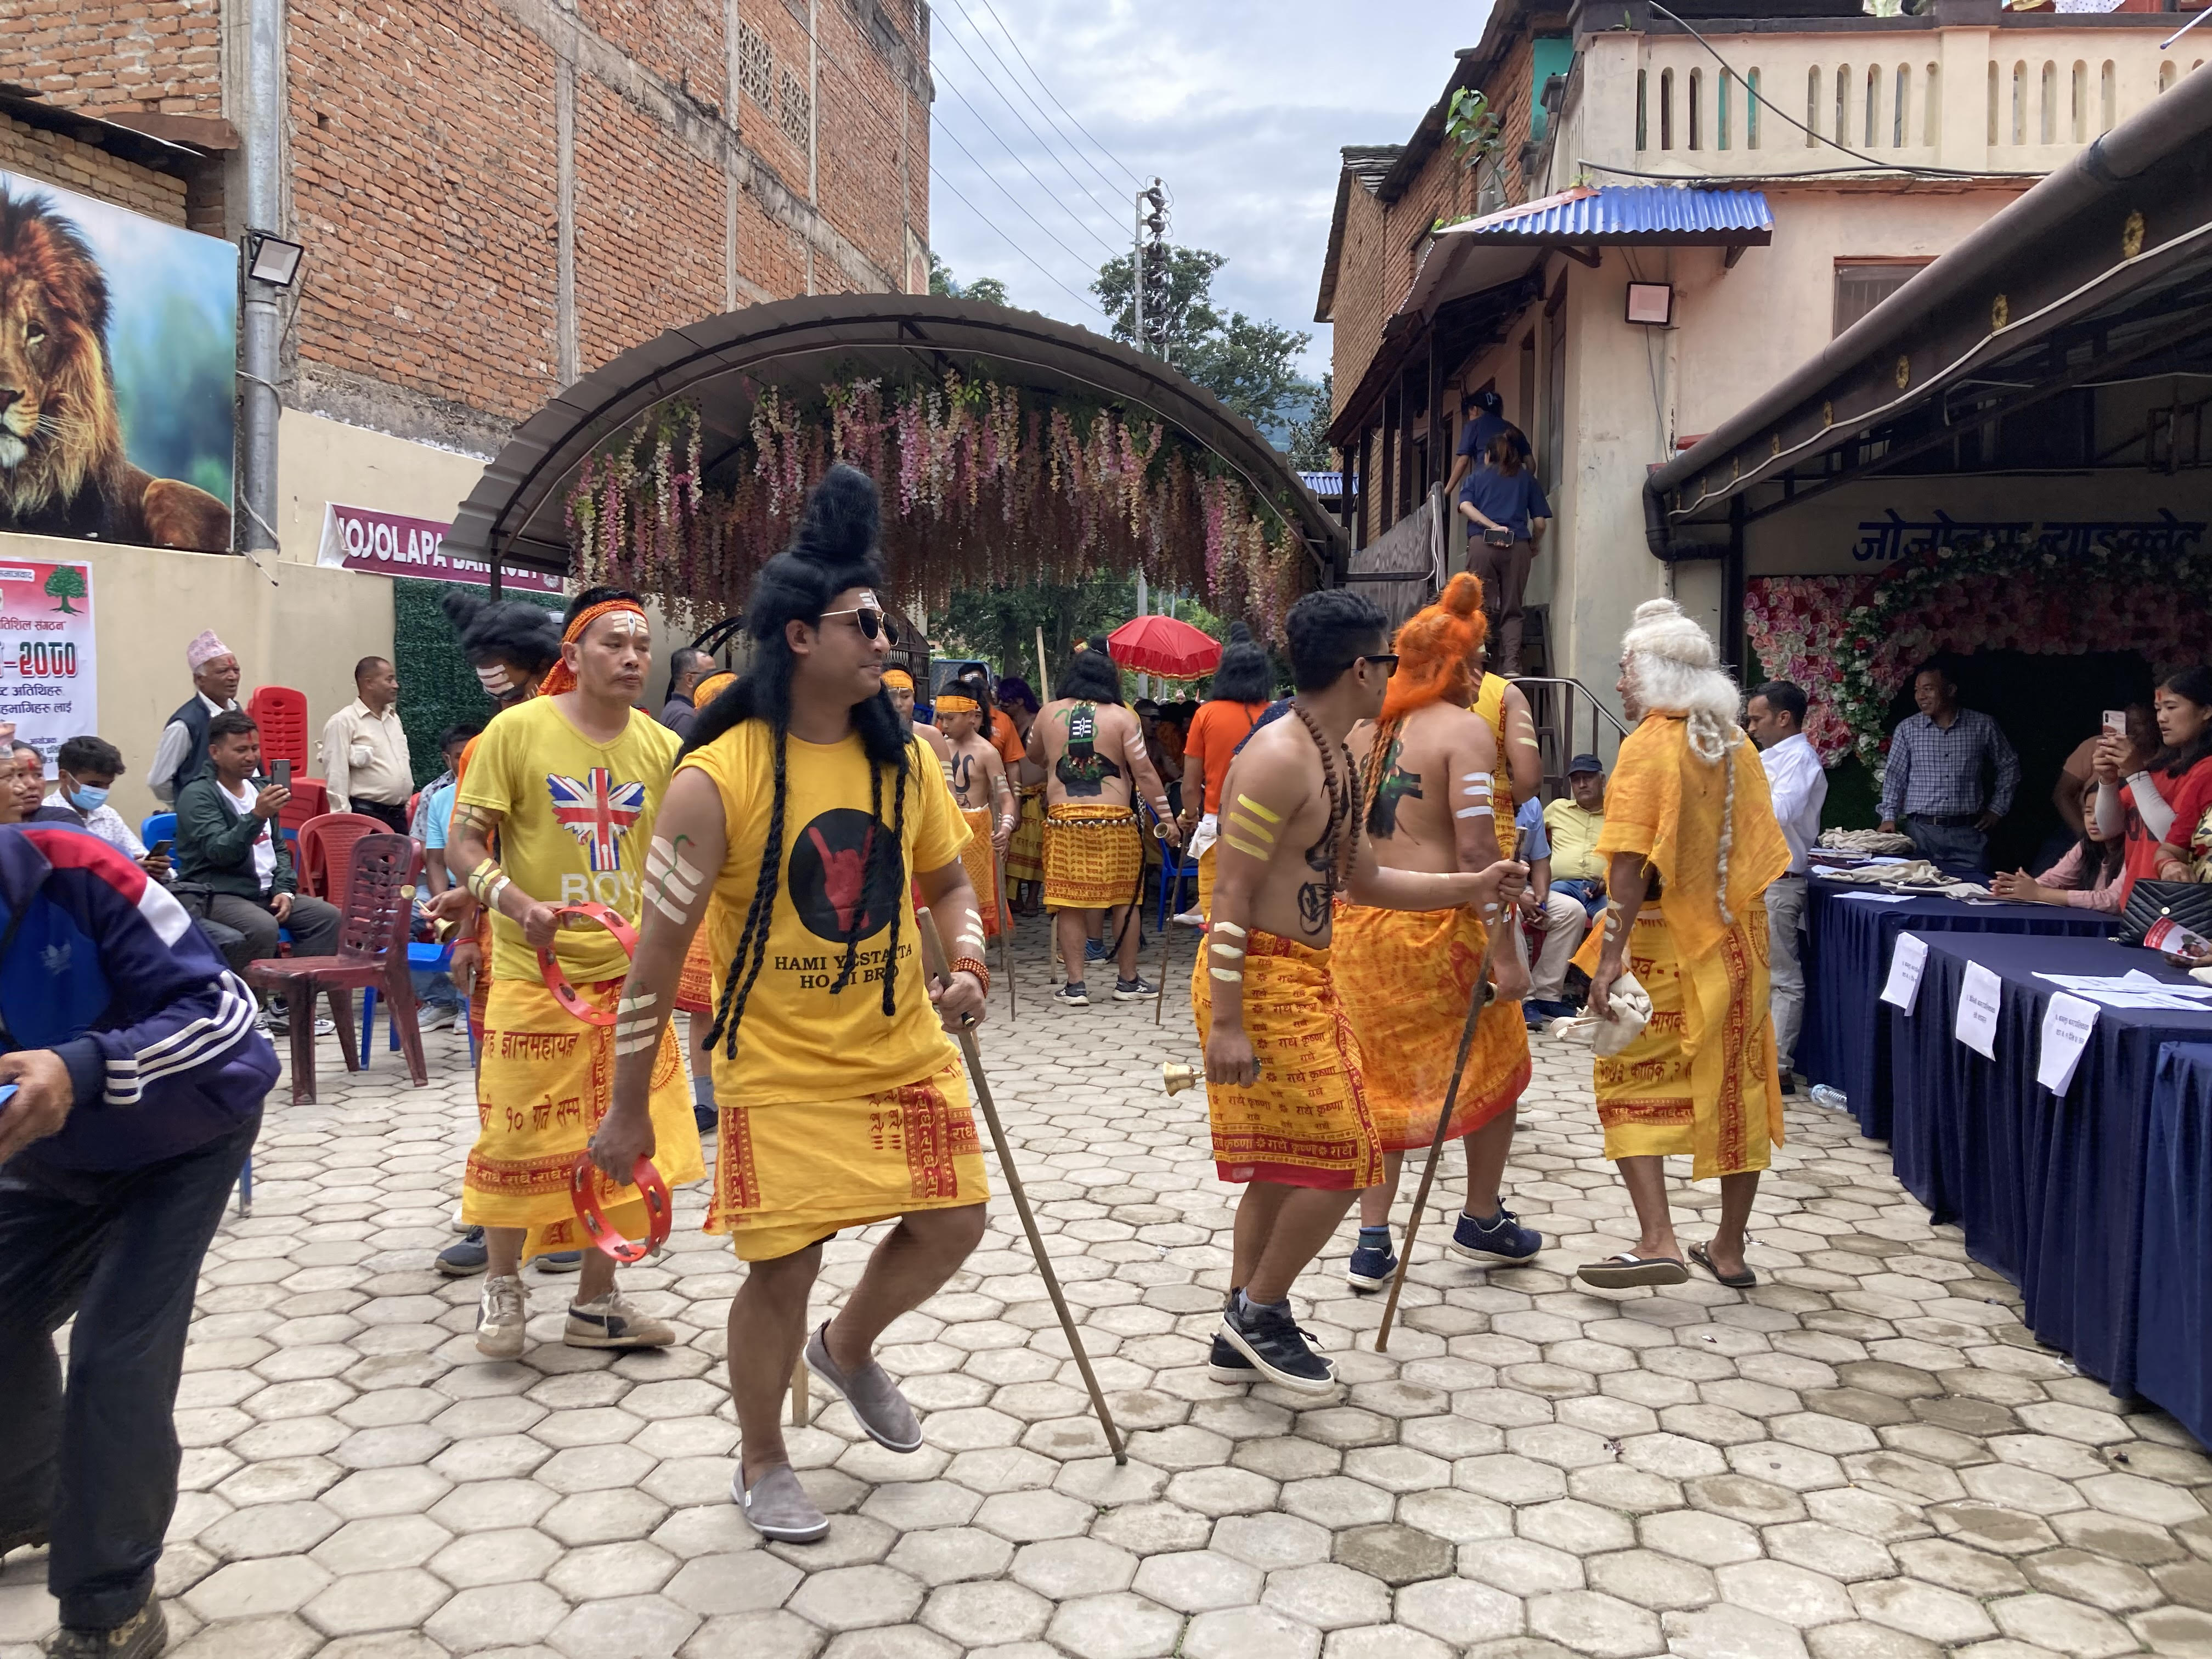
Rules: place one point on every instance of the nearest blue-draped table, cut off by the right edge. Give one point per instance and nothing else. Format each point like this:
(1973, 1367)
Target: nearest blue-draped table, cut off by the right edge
(2173, 1339)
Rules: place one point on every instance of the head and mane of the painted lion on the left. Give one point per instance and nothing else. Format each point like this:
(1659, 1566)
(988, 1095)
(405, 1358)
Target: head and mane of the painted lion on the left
(56, 397)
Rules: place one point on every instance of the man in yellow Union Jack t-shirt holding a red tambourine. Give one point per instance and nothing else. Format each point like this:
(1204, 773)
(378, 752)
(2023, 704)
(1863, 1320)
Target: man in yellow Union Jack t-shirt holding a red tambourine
(570, 784)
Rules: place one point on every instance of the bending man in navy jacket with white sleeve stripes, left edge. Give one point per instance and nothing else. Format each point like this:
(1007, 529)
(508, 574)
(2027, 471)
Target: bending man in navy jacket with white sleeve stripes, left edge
(138, 1072)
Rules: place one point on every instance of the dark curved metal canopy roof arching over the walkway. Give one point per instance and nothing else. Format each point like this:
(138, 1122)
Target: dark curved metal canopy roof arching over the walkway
(517, 512)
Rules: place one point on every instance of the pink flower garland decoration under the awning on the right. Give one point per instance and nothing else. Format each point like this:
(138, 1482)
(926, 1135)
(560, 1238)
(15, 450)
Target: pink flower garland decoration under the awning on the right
(1850, 643)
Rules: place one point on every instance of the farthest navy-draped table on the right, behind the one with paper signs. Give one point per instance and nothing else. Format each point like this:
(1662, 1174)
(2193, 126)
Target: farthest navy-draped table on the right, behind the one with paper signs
(1846, 1034)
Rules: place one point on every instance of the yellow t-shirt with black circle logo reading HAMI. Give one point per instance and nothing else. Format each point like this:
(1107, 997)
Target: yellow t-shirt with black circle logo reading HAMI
(800, 1043)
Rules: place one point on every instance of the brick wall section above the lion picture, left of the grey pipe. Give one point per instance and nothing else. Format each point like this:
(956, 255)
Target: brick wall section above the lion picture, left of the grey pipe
(125, 54)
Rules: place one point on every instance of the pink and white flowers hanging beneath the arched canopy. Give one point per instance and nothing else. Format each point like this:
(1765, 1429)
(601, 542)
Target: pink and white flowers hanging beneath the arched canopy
(983, 486)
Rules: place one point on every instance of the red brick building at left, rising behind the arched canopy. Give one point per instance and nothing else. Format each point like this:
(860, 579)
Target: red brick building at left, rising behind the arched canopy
(494, 196)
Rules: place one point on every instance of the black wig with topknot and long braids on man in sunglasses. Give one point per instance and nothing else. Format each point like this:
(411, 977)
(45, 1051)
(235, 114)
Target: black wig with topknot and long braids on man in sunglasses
(833, 552)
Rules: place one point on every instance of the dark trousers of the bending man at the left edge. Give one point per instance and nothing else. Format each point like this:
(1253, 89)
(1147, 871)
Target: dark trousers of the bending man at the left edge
(96, 1463)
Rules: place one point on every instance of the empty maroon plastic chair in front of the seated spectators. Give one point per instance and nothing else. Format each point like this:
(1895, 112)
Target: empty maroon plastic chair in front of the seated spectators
(373, 950)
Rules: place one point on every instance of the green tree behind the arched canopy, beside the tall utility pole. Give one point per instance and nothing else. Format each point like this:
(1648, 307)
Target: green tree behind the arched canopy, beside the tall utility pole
(1249, 364)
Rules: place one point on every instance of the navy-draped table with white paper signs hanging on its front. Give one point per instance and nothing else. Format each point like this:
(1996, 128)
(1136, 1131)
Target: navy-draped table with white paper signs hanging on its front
(2049, 1191)
